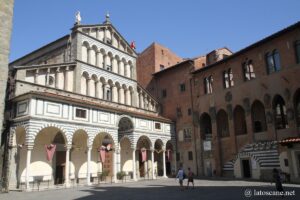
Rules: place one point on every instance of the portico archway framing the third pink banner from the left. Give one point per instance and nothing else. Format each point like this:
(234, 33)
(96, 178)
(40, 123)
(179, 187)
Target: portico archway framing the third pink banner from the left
(143, 147)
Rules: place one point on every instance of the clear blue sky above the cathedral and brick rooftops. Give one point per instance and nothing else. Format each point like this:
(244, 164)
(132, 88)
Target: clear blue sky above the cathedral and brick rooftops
(189, 27)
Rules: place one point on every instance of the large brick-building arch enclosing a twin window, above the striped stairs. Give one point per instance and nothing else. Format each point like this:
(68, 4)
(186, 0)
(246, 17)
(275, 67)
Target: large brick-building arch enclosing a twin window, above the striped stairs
(280, 112)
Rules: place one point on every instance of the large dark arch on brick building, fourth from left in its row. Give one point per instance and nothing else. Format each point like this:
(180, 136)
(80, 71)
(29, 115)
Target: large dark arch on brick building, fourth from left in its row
(258, 117)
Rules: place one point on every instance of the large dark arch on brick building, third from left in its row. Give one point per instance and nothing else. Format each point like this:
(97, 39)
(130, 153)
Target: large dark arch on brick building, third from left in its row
(240, 126)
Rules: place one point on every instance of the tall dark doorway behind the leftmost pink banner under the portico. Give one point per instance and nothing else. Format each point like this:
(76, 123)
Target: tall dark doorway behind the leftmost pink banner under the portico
(60, 167)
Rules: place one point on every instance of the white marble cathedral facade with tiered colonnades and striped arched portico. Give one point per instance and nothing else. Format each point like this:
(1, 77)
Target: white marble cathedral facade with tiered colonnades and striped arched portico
(78, 115)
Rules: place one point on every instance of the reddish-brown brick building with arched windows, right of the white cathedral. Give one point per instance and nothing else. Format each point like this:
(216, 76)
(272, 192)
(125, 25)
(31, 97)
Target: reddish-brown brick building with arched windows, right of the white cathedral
(240, 108)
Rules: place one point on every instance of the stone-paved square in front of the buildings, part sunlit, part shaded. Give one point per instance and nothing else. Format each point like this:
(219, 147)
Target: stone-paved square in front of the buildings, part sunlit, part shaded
(161, 189)
